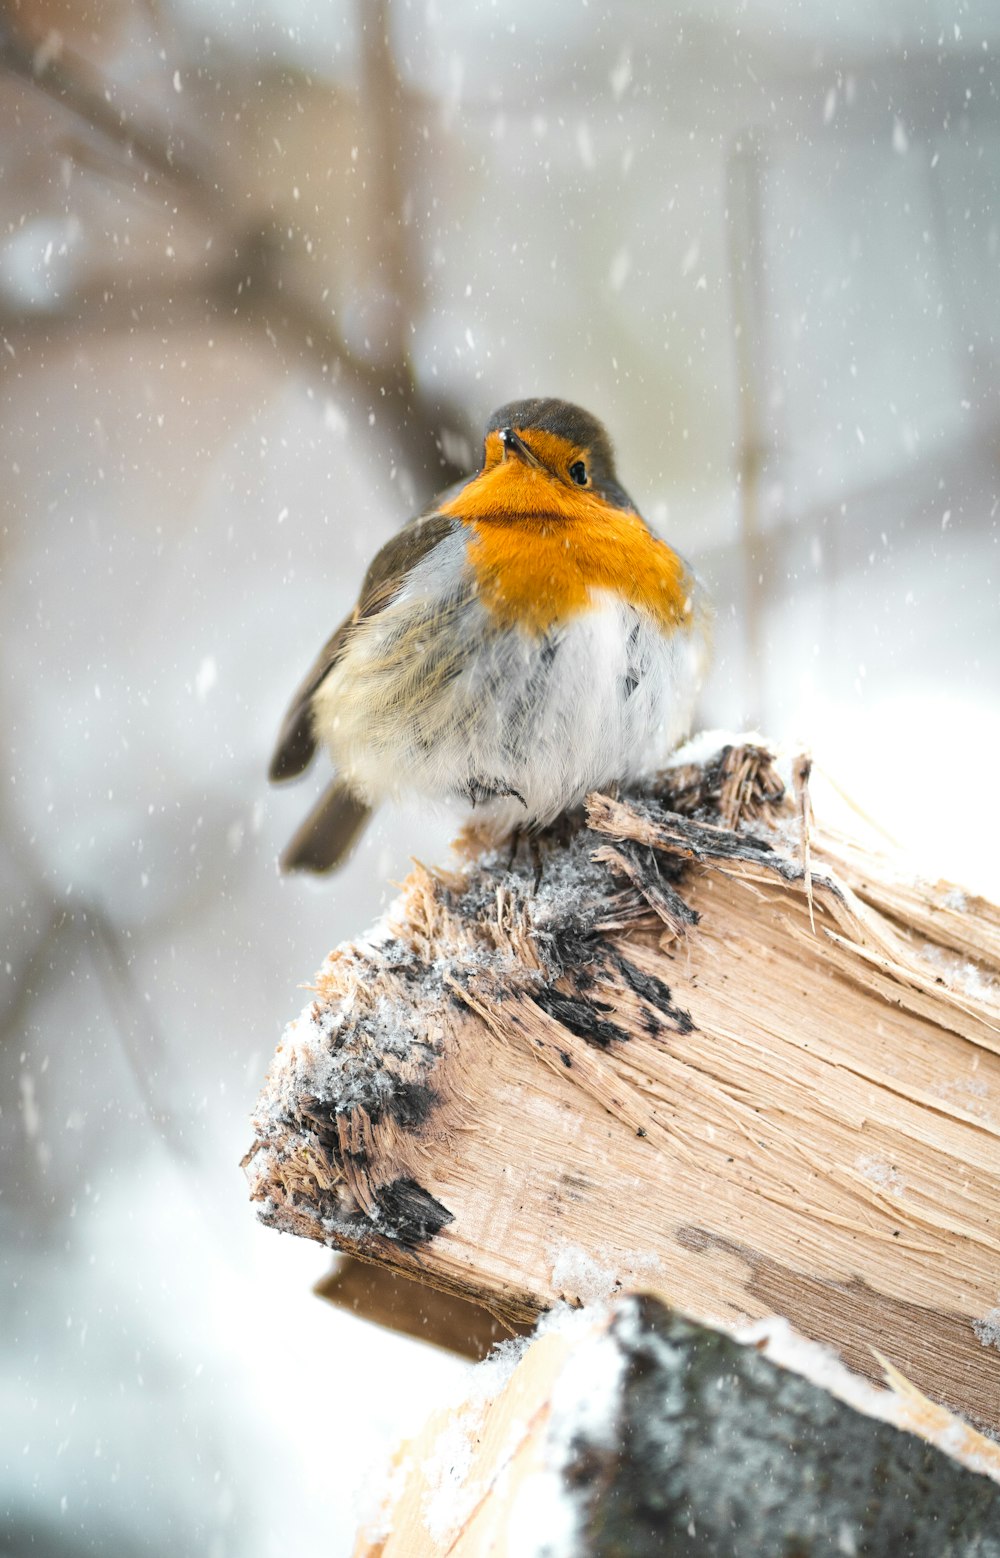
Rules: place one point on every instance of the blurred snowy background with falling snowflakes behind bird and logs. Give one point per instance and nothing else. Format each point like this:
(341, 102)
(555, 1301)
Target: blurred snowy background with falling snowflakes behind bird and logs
(266, 267)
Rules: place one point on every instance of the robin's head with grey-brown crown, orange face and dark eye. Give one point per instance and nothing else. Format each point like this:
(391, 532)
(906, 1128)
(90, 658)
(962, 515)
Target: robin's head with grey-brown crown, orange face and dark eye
(562, 442)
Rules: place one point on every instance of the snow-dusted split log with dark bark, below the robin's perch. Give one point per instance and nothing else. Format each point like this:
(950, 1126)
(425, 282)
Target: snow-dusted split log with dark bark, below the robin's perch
(644, 1434)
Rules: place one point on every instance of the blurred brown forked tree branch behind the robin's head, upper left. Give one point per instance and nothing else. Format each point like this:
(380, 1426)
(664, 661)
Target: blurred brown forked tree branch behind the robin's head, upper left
(245, 281)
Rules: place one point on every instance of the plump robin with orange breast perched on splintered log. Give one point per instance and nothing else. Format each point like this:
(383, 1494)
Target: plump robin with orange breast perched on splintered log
(523, 641)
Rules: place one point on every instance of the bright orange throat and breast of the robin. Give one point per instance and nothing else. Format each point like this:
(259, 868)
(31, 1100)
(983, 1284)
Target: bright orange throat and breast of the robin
(541, 549)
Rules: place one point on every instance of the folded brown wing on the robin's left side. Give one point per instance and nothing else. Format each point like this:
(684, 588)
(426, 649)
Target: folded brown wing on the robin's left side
(297, 742)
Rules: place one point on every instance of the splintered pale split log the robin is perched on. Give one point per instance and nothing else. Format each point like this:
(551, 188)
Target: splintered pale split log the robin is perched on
(750, 1065)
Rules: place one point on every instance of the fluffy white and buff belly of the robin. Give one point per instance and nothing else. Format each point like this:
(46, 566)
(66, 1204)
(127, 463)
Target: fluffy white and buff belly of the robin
(434, 703)
